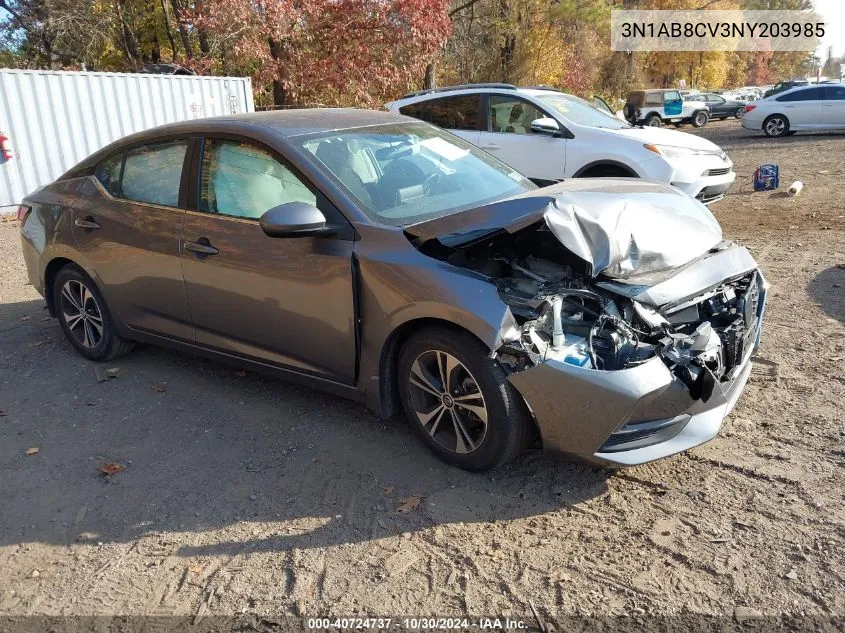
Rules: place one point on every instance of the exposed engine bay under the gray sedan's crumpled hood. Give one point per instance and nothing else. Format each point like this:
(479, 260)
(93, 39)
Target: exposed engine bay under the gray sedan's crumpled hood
(567, 316)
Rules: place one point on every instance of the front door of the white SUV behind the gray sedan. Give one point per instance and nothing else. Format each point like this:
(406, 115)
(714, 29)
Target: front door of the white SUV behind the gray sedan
(508, 136)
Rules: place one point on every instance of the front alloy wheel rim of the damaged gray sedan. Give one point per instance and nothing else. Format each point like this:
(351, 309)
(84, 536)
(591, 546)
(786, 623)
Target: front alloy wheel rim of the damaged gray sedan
(448, 401)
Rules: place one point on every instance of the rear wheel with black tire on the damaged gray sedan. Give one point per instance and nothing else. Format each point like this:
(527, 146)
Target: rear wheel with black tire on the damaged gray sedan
(94, 339)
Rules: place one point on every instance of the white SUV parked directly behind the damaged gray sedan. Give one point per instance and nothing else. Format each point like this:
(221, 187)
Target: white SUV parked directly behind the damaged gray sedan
(549, 135)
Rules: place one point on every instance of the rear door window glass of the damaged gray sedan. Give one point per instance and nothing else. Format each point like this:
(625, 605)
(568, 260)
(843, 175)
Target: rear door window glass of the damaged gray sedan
(152, 173)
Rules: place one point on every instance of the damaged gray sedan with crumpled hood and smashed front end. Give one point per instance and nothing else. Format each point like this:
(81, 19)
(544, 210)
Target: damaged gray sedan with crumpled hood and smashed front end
(389, 261)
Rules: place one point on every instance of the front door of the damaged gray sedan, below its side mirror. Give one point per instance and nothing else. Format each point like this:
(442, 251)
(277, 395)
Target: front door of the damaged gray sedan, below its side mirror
(284, 301)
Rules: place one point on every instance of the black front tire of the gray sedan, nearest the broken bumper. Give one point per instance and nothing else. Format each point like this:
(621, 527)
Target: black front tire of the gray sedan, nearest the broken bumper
(508, 420)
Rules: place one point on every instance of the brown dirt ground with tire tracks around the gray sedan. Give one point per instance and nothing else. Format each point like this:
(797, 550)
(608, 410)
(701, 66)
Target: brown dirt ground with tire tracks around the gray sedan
(244, 495)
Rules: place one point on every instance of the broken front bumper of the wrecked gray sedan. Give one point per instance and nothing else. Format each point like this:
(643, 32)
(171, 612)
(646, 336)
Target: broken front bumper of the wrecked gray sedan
(629, 416)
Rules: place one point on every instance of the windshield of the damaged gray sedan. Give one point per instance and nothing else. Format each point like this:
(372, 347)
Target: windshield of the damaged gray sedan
(407, 173)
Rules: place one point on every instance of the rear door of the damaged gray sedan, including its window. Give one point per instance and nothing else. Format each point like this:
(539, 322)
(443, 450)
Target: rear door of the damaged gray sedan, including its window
(128, 234)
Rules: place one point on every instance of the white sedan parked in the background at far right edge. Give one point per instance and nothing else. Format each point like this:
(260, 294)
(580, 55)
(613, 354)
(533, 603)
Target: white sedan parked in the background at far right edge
(816, 107)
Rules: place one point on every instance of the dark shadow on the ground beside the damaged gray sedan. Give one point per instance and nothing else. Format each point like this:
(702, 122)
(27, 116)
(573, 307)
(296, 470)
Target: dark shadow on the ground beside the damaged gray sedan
(239, 461)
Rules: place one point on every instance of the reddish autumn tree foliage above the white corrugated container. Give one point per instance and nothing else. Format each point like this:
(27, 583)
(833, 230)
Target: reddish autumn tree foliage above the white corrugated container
(334, 52)
